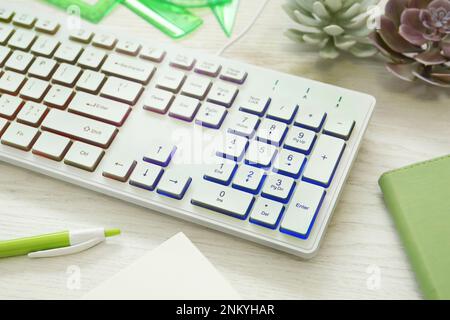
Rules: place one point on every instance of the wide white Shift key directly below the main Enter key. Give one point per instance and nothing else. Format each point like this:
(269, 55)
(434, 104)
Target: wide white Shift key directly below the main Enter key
(79, 128)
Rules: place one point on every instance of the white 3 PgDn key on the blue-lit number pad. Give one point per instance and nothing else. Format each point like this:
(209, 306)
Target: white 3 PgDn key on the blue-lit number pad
(278, 188)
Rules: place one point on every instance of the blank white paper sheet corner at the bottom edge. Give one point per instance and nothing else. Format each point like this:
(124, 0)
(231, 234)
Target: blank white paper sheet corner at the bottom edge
(174, 270)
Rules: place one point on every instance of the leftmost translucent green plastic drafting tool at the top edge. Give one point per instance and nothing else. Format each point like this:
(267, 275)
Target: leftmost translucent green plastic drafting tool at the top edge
(91, 10)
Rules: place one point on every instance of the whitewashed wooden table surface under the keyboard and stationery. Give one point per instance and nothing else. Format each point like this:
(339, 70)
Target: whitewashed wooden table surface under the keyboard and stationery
(410, 123)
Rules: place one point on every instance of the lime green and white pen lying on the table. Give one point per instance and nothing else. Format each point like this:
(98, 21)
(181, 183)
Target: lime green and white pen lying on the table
(55, 244)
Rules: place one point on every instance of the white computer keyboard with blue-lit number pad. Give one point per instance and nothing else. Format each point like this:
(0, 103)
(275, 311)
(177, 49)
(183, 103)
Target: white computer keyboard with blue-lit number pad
(245, 150)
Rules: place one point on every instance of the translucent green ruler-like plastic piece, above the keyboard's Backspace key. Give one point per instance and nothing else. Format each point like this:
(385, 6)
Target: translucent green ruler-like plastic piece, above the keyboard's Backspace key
(173, 20)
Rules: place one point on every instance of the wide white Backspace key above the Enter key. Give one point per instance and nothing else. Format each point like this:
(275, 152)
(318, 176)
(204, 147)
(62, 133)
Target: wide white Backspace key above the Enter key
(128, 68)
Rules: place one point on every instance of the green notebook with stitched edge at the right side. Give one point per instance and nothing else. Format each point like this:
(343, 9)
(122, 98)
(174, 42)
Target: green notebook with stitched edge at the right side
(418, 197)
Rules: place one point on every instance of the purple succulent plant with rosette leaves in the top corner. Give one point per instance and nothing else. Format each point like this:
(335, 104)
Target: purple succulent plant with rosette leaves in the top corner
(415, 36)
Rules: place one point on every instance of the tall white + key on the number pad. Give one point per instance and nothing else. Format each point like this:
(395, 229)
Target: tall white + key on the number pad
(324, 160)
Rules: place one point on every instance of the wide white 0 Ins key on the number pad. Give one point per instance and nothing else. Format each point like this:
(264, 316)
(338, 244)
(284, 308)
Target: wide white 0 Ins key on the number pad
(222, 199)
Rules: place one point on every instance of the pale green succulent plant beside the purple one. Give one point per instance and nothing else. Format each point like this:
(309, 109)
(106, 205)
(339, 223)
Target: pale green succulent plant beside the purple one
(333, 26)
